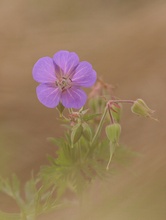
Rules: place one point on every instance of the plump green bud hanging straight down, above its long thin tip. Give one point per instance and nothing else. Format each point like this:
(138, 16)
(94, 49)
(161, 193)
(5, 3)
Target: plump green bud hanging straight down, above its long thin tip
(113, 132)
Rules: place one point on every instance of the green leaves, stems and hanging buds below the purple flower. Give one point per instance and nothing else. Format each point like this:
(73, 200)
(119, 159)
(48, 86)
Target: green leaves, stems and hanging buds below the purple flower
(89, 150)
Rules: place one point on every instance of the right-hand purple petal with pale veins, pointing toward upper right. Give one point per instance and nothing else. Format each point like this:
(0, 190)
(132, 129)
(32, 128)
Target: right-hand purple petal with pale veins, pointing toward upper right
(84, 75)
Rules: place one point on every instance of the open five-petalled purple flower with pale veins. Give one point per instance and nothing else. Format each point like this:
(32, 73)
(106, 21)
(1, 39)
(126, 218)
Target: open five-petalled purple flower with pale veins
(61, 79)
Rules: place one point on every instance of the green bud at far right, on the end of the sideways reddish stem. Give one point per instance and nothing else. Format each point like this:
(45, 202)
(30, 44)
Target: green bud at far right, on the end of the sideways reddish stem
(140, 108)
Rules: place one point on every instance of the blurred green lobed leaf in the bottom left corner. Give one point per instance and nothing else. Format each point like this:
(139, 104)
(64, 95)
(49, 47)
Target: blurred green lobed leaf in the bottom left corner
(31, 200)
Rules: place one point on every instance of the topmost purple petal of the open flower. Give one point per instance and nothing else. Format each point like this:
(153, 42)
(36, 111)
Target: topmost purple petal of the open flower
(66, 61)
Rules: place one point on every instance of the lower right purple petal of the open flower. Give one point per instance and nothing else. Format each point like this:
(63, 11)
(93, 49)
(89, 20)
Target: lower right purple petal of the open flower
(73, 98)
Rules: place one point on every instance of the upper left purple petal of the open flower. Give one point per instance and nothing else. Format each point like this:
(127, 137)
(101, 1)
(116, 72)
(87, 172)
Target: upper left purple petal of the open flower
(44, 70)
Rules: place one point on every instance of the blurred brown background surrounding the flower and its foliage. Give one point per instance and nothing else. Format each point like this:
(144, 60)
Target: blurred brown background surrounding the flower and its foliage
(126, 43)
